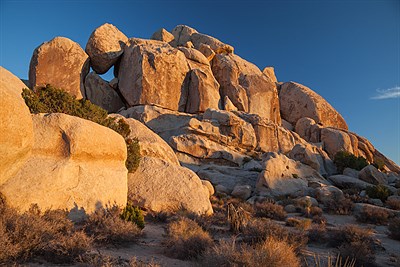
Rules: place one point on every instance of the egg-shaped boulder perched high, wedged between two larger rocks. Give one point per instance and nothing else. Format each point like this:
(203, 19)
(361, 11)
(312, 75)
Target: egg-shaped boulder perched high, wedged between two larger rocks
(105, 46)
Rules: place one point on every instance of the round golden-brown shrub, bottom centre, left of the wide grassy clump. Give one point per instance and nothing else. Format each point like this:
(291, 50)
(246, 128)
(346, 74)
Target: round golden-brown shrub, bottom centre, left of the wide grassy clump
(186, 239)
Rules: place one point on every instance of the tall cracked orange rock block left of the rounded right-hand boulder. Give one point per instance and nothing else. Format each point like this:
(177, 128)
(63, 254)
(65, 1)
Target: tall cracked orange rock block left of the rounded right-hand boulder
(245, 85)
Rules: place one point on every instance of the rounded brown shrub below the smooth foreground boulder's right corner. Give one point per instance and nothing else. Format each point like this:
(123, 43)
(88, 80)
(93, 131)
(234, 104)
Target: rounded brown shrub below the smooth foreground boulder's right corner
(105, 226)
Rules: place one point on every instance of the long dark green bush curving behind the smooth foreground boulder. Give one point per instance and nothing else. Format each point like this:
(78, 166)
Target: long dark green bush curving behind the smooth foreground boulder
(52, 100)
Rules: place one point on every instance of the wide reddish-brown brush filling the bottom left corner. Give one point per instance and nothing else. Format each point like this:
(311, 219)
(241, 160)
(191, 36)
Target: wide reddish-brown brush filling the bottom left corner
(50, 236)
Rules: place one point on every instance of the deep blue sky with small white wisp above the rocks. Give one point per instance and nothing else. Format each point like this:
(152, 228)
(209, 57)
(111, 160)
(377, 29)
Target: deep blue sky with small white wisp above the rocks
(347, 51)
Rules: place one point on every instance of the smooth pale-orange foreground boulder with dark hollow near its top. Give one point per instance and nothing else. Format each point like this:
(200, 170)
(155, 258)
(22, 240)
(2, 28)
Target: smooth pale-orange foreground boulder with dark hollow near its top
(74, 163)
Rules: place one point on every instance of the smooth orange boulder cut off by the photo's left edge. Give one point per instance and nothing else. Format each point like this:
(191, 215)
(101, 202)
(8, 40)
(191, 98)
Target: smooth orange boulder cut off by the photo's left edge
(16, 127)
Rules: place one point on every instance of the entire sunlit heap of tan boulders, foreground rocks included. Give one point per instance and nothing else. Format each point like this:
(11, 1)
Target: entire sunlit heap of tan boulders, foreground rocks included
(205, 118)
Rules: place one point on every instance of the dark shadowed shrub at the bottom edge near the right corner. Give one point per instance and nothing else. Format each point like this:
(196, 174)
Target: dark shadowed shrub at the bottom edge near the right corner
(354, 242)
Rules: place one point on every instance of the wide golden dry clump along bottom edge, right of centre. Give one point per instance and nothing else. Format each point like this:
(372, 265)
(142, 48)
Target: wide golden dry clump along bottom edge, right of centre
(272, 252)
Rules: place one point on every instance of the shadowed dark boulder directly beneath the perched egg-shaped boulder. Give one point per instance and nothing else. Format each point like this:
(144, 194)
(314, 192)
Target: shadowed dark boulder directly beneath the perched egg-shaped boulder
(100, 93)
